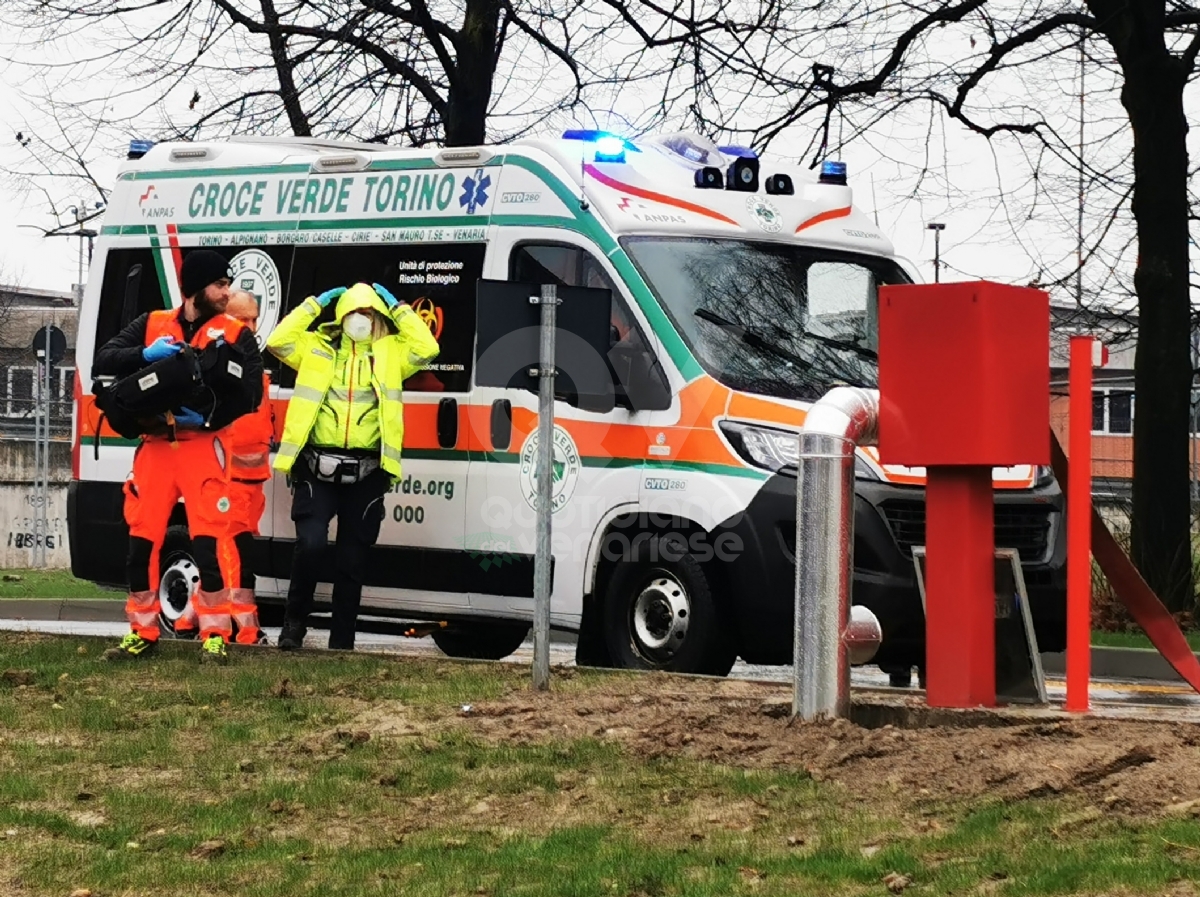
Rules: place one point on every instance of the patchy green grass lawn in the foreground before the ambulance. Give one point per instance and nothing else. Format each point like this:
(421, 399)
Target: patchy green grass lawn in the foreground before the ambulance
(345, 775)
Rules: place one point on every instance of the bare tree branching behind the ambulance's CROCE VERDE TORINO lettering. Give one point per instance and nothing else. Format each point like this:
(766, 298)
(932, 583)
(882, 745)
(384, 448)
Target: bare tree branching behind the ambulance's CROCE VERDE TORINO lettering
(370, 70)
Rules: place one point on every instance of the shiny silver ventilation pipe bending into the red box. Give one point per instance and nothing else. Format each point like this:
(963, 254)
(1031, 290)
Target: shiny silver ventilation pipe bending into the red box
(830, 634)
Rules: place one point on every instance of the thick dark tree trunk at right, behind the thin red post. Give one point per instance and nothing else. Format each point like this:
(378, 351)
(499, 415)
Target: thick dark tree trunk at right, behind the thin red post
(1162, 511)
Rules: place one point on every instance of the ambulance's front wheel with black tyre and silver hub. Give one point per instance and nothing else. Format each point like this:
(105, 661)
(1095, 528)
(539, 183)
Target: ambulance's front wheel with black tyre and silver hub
(661, 613)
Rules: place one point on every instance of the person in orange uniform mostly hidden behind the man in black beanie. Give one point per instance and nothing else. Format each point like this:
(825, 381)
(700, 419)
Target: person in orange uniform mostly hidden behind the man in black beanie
(250, 467)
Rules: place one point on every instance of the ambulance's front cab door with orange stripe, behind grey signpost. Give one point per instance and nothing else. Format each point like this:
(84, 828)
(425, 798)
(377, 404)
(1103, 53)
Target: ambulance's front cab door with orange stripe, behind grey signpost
(598, 456)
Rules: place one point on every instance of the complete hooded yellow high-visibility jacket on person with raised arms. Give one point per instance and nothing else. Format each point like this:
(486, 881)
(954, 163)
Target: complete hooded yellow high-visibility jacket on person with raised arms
(322, 404)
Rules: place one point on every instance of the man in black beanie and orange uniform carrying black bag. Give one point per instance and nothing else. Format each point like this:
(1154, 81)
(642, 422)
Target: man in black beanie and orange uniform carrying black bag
(184, 461)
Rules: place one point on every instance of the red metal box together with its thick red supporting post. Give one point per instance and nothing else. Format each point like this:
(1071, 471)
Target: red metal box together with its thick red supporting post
(964, 388)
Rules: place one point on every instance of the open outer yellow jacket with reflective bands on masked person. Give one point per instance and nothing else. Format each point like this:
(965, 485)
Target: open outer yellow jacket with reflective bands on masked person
(313, 354)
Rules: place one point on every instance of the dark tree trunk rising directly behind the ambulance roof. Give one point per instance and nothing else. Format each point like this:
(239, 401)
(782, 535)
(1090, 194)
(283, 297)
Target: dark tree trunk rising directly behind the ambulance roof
(471, 83)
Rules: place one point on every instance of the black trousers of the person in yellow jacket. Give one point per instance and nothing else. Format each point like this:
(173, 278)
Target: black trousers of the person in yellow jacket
(359, 510)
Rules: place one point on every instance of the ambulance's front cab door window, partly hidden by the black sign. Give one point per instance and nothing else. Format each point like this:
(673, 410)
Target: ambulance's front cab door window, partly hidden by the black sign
(572, 267)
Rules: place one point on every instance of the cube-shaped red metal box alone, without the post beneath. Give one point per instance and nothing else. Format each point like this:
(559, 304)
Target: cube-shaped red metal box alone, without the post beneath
(964, 375)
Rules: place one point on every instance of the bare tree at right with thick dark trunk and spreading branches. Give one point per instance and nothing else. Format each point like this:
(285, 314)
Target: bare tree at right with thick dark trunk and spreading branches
(1003, 70)
